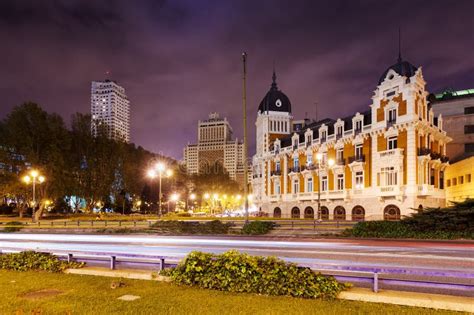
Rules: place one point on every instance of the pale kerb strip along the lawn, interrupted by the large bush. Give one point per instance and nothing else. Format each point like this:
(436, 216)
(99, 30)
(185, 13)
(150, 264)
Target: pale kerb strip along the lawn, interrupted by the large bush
(435, 301)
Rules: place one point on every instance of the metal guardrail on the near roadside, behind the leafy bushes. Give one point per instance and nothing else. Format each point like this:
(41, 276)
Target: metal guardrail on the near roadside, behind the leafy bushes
(375, 277)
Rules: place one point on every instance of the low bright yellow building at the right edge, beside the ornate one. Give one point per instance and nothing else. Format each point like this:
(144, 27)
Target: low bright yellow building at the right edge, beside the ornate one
(460, 180)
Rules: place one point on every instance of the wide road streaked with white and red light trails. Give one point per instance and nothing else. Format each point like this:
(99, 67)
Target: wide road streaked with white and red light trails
(350, 254)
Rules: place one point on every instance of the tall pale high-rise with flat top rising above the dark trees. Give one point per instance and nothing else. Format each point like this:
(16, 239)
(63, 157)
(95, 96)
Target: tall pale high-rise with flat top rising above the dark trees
(110, 108)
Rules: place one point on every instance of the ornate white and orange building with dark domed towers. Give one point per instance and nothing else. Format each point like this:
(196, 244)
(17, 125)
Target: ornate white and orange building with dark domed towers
(387, 160)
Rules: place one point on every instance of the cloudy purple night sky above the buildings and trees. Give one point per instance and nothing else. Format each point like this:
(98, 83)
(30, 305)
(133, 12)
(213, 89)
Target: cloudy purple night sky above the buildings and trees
(180, 60)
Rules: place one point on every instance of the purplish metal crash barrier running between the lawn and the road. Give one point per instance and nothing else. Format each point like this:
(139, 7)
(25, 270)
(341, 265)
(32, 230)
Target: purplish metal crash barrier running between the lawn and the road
(455, 283)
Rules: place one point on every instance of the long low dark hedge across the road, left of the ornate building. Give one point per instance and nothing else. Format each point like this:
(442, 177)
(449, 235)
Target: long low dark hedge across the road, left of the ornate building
(189, 227)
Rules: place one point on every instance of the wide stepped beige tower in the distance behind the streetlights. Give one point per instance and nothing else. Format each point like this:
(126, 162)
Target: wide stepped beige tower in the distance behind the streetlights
(215, 148)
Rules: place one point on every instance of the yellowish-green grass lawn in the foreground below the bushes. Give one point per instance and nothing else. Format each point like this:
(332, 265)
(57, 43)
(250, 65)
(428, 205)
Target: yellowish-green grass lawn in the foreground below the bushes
(74, 294)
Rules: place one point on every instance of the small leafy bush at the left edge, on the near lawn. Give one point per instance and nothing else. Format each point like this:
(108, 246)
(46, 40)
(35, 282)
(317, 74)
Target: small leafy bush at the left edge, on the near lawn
(30, 260)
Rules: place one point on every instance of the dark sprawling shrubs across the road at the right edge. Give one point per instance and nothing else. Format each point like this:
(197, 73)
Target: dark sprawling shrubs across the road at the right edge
(433, 223)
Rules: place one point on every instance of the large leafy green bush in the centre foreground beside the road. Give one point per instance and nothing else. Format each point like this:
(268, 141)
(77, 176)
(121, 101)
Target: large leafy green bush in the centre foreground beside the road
(235, 272)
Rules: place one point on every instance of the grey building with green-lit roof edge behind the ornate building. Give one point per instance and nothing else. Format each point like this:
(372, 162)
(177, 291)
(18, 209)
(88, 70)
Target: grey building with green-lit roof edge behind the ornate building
(457, 110)
